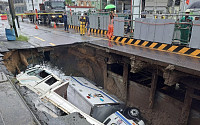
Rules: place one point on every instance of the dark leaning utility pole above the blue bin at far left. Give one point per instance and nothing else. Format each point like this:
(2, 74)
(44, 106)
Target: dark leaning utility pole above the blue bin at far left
(12, 12)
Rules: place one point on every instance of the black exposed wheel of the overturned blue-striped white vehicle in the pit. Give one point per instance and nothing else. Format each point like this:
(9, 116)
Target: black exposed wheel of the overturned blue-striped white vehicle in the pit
(131, 113)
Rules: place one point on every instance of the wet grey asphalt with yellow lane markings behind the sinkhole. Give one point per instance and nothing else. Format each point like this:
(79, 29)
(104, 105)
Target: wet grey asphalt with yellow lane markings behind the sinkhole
(45, 37)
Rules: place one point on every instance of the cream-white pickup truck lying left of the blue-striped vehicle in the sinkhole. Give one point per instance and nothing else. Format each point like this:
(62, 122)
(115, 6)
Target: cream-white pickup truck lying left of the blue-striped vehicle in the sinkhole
(50, 88)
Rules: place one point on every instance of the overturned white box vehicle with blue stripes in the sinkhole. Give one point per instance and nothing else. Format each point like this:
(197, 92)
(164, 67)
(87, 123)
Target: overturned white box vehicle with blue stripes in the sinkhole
(98, 104)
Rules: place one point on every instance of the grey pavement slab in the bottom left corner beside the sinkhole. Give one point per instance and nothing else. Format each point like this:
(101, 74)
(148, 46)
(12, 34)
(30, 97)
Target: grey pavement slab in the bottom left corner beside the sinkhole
(12, 109)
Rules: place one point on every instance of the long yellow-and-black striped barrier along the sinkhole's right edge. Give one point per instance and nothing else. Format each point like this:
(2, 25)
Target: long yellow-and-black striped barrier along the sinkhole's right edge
(157, 46)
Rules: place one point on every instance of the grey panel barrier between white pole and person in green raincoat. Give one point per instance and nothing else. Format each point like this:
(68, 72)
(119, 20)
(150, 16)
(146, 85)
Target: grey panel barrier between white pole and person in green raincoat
(157, 30)
